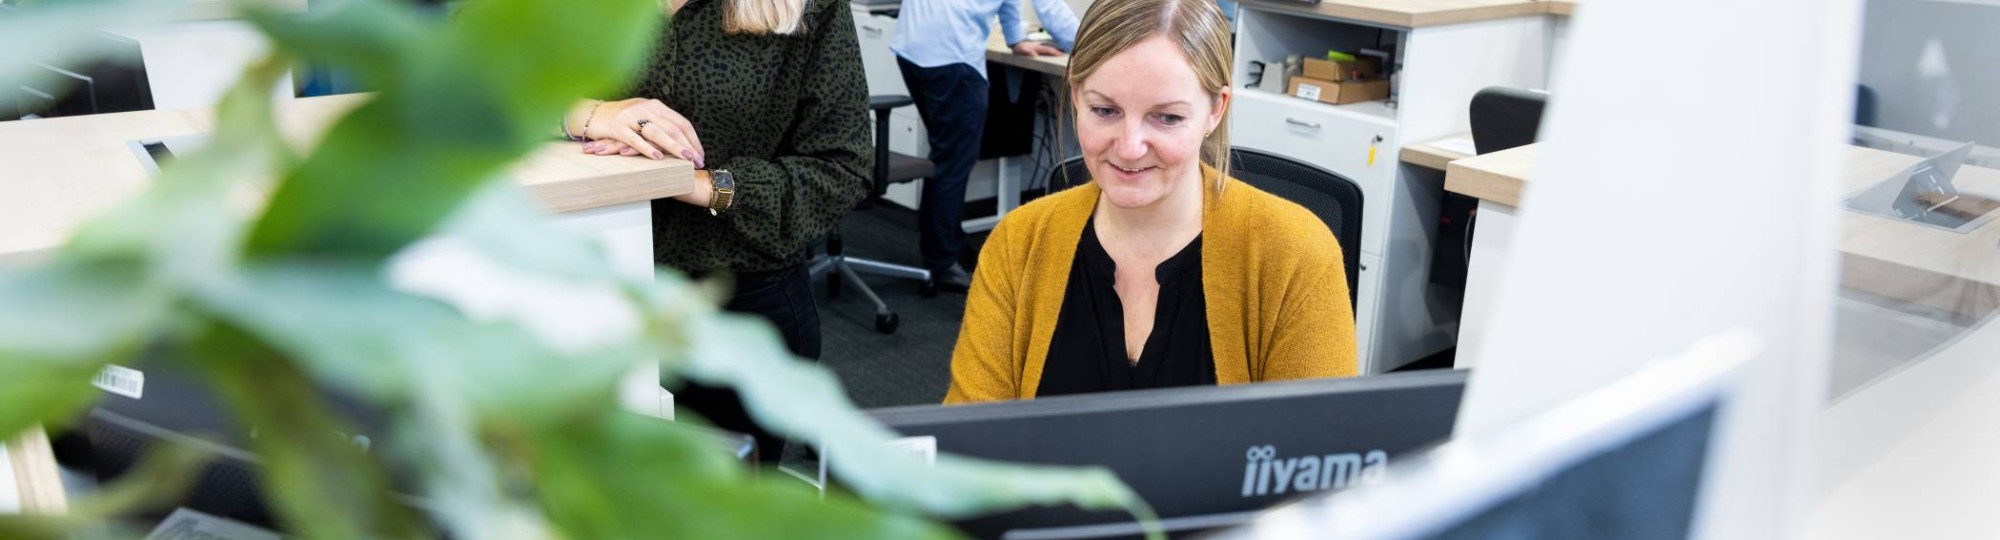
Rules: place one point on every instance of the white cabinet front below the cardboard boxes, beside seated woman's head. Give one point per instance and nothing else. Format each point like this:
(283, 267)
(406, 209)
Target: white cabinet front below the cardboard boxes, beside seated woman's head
(1351, 141)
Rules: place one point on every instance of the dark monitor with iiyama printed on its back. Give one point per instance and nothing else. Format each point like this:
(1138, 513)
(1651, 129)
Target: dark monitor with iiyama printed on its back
(1201, 457)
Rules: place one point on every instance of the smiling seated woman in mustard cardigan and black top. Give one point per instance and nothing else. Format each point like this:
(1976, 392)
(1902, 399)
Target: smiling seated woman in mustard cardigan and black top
(1161, 271)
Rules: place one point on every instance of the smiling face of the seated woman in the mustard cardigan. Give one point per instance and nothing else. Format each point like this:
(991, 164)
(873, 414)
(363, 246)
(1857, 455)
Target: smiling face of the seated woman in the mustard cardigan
(1141, 121)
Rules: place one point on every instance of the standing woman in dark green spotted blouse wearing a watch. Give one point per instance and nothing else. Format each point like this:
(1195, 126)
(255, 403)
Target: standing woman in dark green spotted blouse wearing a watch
(769, 101)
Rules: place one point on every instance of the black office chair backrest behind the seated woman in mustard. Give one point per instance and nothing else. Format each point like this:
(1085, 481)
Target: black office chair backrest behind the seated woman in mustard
(1325, 193)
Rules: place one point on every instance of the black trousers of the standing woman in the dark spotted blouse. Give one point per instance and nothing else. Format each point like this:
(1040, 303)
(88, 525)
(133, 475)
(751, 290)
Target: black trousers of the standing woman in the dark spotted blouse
(789, 305)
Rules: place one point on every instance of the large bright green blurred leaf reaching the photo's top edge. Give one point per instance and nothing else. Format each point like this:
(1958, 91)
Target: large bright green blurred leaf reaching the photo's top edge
(487, 89)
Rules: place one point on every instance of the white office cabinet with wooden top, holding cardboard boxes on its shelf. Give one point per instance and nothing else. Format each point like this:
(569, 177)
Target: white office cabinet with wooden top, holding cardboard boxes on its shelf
(1437, 73)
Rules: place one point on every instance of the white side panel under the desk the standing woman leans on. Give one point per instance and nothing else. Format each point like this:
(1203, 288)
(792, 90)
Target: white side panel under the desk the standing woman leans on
(627, 237)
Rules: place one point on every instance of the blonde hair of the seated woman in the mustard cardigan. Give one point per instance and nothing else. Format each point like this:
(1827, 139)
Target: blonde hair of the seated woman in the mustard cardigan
(1195, 27)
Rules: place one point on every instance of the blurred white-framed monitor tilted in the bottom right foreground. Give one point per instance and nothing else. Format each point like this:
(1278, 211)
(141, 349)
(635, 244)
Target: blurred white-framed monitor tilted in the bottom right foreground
(1621, 463)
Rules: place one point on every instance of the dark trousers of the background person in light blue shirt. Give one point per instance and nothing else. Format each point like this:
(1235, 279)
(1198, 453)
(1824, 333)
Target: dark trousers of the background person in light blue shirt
(953, 103)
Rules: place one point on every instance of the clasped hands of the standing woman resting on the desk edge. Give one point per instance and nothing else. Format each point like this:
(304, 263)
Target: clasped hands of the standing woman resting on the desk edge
(641, 127)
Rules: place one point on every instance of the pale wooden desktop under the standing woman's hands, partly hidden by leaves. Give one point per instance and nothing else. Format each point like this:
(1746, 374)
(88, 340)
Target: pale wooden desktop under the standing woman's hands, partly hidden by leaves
(67, 171)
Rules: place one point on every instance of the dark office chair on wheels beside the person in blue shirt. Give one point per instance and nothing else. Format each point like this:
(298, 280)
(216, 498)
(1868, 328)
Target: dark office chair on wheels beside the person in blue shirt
(891, 169)
